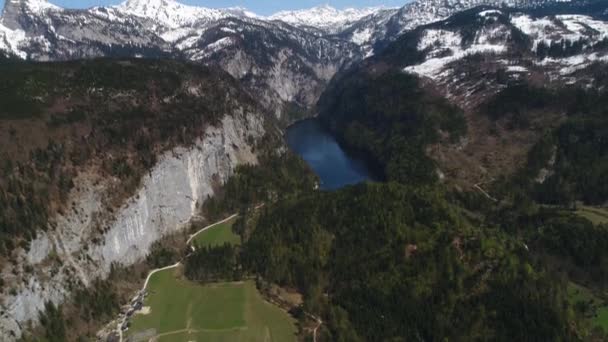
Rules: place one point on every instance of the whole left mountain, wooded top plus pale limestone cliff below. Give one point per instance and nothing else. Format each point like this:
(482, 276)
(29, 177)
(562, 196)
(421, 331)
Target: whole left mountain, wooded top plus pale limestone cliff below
(102, 158)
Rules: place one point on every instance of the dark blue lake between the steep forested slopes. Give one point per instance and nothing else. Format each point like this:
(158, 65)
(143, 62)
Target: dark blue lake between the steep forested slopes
(320, 150)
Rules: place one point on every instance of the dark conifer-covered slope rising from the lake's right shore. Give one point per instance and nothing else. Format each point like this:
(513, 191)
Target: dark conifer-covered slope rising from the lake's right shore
(390, 119)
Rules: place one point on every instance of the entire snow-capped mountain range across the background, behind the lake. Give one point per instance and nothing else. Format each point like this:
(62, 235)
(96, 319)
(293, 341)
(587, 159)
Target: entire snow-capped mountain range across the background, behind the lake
(285, 59)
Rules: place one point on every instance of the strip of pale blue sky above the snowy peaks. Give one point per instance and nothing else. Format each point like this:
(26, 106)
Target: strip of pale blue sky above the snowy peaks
(263, 7)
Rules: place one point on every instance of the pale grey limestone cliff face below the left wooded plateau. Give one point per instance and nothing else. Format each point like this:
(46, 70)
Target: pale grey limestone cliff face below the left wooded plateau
(74, 251)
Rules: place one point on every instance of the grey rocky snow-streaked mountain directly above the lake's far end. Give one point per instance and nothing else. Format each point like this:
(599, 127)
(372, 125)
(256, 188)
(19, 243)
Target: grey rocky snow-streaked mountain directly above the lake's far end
(277, 63)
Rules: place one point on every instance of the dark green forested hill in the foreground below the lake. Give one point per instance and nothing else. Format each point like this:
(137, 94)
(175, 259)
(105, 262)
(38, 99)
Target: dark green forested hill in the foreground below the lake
(387, 261)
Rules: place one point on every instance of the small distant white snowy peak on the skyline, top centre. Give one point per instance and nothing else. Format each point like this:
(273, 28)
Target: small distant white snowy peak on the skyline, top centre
(324, 16)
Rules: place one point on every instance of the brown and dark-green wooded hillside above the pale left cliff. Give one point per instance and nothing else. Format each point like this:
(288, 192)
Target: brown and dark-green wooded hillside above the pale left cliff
(113, 117)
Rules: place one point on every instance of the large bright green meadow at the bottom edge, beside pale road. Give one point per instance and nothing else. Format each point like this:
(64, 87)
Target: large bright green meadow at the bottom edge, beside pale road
(181, 310)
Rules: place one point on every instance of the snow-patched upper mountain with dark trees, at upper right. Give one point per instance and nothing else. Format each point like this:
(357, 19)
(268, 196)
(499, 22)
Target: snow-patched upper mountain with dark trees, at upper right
(474, 54)
